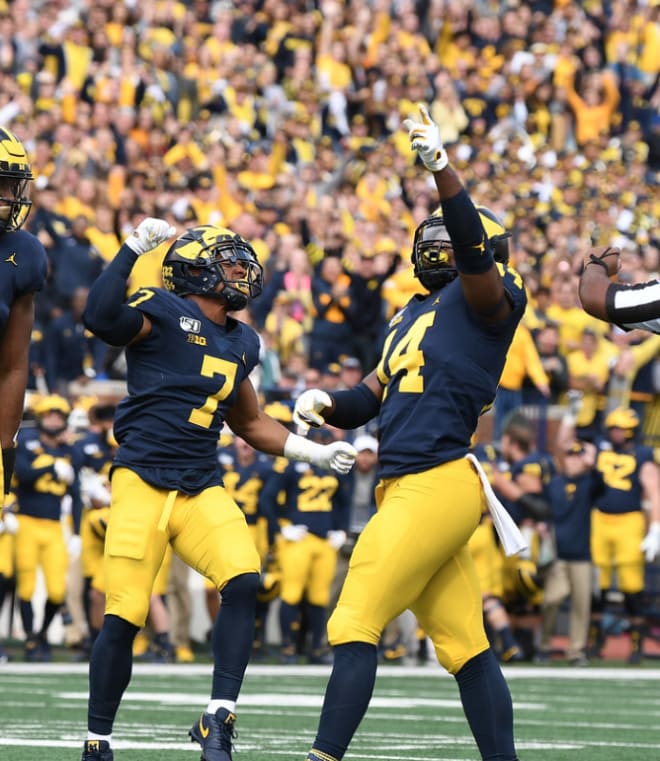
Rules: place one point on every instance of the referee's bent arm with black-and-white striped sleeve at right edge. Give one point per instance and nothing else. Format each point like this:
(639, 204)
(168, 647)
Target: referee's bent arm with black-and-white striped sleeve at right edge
(629, 306)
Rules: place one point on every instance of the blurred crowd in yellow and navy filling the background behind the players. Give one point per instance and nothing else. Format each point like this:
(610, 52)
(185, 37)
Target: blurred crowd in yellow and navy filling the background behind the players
(282, 121)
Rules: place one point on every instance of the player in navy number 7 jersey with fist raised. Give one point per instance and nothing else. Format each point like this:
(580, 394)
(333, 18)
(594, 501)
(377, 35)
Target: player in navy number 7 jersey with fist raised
(188, 365)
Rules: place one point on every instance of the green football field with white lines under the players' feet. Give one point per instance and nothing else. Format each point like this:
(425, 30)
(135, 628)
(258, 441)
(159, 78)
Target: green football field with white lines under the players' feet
(590, 714)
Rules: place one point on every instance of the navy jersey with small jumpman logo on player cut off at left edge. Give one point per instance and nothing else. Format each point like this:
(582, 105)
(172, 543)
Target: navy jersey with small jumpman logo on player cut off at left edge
(24, 265)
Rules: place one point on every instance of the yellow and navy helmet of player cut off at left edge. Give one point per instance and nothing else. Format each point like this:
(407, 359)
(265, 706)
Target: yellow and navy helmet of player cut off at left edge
(15, 176)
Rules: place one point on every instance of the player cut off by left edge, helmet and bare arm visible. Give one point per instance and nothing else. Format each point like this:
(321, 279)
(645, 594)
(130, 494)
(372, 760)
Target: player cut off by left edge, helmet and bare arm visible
(24, 265)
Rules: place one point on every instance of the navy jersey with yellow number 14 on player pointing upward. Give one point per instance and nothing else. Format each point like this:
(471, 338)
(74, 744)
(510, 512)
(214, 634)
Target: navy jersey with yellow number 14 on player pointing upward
(440, 367)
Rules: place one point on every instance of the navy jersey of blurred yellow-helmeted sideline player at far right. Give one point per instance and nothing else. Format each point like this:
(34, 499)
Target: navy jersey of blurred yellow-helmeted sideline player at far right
(620, 469)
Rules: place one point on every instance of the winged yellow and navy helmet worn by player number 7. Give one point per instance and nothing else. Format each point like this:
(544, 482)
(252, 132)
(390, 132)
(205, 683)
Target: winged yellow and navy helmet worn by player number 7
(194, 264)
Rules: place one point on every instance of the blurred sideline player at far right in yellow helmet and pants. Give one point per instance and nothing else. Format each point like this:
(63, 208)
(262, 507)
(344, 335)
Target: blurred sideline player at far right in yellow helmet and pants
(620, 540)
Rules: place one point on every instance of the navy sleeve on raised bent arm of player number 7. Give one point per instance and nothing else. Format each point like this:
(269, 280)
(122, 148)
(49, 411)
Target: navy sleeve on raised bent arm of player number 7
(107, 315)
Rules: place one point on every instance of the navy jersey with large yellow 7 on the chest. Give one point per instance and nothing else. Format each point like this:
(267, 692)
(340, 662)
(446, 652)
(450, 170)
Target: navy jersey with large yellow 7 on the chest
(182, 380)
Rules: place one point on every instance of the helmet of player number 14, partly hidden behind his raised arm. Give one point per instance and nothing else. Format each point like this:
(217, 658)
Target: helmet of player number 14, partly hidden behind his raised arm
(433, 265)
